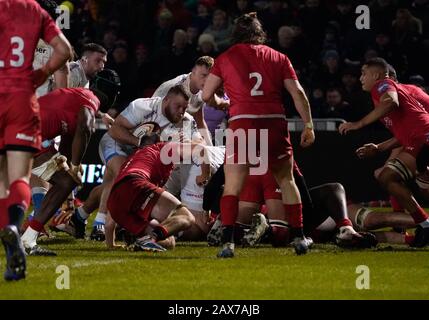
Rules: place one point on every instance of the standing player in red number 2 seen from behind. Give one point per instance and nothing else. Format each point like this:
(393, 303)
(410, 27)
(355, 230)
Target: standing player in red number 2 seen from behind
(254, 76)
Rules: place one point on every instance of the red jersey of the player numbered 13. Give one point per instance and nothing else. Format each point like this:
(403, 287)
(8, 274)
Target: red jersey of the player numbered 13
(22, 23)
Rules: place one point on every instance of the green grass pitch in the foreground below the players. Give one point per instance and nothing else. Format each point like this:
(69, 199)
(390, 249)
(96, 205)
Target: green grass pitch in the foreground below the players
(192, 271)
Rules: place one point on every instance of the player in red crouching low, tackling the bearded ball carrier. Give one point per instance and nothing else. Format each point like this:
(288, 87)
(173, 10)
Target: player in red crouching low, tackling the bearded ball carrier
(137, 197)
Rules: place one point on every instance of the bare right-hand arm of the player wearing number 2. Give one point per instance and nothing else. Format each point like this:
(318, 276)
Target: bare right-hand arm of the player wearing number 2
(303, 107)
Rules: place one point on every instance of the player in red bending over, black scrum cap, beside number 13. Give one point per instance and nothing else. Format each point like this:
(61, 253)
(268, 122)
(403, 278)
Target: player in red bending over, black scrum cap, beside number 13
(69, 113)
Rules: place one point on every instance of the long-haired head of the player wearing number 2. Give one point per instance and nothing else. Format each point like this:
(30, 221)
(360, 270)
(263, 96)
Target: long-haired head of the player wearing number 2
(248, 29)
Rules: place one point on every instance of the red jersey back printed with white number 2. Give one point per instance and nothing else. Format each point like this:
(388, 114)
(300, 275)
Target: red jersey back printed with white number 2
(253, 77)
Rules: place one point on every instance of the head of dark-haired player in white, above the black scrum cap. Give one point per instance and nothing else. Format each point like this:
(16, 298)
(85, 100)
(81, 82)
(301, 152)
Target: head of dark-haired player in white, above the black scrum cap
(93, 59)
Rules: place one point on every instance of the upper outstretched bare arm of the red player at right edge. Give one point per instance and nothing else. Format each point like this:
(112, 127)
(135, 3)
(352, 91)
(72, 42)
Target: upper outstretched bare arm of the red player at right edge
(388, 102)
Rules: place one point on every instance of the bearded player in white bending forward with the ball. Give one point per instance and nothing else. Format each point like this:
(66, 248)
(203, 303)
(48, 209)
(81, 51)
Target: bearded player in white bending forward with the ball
(119, 142)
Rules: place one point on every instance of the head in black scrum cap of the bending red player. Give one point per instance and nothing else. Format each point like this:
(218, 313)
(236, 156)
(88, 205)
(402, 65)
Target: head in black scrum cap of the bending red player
(106, 85)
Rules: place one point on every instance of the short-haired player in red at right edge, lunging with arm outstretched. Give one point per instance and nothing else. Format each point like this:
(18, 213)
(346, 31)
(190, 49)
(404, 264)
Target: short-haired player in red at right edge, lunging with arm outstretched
(408, 121)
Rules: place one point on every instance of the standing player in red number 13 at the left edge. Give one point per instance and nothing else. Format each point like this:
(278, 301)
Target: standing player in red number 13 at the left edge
(22, 23)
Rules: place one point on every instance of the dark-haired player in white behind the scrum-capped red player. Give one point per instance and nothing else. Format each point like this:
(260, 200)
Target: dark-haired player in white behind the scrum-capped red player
(92, 61)
